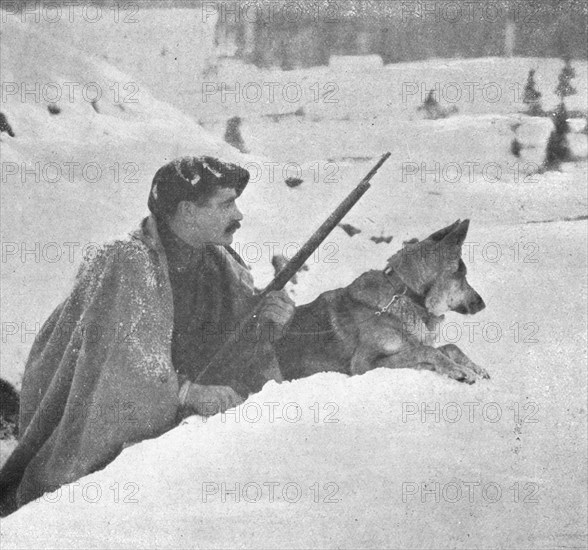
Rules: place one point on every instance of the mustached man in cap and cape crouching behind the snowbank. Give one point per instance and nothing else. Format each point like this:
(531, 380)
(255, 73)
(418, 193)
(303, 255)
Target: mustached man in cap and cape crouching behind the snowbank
(125, 356)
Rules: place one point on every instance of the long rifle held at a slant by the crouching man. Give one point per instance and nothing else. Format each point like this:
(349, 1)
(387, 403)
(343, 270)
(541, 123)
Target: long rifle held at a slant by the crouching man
(290, 269)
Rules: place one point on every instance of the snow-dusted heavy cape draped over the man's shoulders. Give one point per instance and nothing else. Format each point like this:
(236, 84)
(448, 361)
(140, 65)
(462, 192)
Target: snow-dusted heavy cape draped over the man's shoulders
(99, 375)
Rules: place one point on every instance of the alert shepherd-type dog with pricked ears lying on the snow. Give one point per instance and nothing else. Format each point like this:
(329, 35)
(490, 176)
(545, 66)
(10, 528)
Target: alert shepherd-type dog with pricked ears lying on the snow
(388, 318)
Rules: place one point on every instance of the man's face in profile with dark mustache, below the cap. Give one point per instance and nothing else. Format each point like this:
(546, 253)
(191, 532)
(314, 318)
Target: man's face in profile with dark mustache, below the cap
(216, 221)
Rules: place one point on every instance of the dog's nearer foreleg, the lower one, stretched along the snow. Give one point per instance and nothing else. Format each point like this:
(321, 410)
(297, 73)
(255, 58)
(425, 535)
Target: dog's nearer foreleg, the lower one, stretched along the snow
(425, 357)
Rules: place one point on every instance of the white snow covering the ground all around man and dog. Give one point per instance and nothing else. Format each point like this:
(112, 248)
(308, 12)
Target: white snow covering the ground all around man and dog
(356, 441)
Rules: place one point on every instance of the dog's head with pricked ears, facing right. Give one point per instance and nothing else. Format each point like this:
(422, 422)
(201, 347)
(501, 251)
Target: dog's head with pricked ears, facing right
(433, 268)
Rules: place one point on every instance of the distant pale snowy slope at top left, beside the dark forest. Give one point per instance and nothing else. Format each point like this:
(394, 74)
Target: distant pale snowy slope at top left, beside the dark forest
(164, 50)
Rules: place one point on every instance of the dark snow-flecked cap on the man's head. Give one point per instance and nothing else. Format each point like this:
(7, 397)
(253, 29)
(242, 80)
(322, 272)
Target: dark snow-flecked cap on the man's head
(193, 179)
